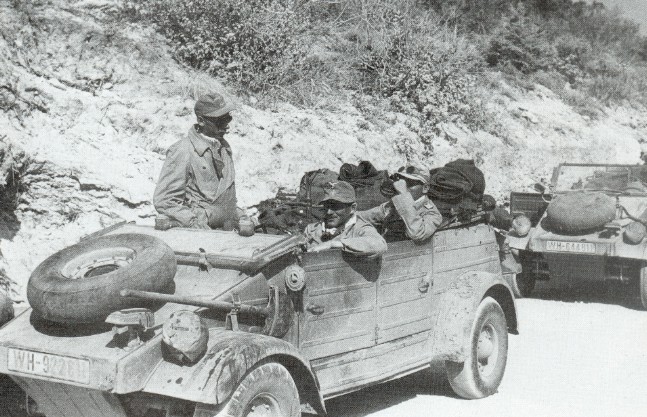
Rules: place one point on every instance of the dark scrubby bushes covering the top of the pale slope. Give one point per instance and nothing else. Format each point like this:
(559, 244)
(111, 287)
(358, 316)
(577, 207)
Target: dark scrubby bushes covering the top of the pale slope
(428, 57)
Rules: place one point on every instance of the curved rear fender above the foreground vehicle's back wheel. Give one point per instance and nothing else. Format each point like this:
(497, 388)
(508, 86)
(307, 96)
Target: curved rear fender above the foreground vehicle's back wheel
(456, 310)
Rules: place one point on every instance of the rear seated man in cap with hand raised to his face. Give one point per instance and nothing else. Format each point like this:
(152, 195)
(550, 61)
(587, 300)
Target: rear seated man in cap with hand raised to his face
(410, 209)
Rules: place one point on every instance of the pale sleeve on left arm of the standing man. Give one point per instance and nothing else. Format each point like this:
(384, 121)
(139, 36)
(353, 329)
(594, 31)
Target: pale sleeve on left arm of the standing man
(171, 187)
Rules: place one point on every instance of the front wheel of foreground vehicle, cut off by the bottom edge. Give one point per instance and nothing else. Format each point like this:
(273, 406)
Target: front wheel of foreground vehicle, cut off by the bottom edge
(267, 391)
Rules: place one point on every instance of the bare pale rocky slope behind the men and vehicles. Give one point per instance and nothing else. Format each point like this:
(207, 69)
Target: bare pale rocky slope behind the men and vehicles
(89, 105)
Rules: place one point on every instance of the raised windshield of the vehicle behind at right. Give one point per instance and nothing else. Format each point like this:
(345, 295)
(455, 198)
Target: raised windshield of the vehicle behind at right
(624, 179)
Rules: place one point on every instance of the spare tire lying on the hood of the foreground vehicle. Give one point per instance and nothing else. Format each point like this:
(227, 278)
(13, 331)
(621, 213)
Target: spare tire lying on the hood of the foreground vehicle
(81, 283)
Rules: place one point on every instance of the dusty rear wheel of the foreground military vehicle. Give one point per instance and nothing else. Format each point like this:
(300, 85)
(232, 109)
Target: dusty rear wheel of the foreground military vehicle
(482, 371)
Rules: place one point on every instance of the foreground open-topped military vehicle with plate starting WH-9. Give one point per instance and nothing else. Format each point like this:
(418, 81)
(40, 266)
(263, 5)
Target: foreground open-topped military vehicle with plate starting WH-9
(134, 321)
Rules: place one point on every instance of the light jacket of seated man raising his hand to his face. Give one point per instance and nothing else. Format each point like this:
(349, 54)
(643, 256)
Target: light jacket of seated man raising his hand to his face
(421, 217)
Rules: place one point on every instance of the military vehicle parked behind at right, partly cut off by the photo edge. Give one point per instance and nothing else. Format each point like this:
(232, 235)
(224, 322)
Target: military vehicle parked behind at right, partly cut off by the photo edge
(588, 227)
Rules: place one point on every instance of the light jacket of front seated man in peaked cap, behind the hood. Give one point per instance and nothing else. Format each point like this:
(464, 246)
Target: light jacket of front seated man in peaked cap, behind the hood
(358, 237)
